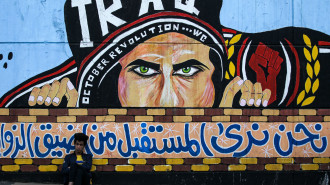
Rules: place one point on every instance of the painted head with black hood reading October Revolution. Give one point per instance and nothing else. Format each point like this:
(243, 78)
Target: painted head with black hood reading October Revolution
(164, 57)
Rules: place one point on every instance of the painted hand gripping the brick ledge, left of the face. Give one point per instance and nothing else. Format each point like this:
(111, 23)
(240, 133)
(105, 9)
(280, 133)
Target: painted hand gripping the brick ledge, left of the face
(54, 93)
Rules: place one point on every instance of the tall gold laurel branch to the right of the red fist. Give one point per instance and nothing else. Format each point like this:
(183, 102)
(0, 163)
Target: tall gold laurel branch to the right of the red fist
(312, 84)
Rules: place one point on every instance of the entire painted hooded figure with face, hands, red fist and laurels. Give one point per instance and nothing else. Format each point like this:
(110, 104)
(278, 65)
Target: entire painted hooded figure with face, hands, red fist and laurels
(177, 54)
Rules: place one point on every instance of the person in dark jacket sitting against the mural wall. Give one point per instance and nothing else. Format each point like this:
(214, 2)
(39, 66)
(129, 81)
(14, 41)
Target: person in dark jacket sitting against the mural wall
(77, 166)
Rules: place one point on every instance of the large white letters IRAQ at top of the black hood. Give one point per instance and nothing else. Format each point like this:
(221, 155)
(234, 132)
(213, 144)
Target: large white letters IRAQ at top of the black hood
(106, 14)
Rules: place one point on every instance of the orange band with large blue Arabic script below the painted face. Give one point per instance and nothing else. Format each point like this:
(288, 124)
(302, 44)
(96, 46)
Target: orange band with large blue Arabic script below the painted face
(175, 140)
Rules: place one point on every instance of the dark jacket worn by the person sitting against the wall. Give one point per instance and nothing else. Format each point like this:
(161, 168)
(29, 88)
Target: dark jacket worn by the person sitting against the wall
(71, 160)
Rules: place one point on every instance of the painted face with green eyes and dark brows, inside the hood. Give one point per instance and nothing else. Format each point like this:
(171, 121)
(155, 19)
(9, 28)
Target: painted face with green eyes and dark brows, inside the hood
(169, 70)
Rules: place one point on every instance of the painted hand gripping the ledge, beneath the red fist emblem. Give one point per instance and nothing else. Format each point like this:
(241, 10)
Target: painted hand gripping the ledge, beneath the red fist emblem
(252, 94)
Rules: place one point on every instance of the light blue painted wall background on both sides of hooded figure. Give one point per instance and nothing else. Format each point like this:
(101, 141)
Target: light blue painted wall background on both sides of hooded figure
(35, 31)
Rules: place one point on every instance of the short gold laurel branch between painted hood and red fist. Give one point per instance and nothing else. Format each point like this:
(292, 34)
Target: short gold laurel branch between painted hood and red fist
(231, 50)
